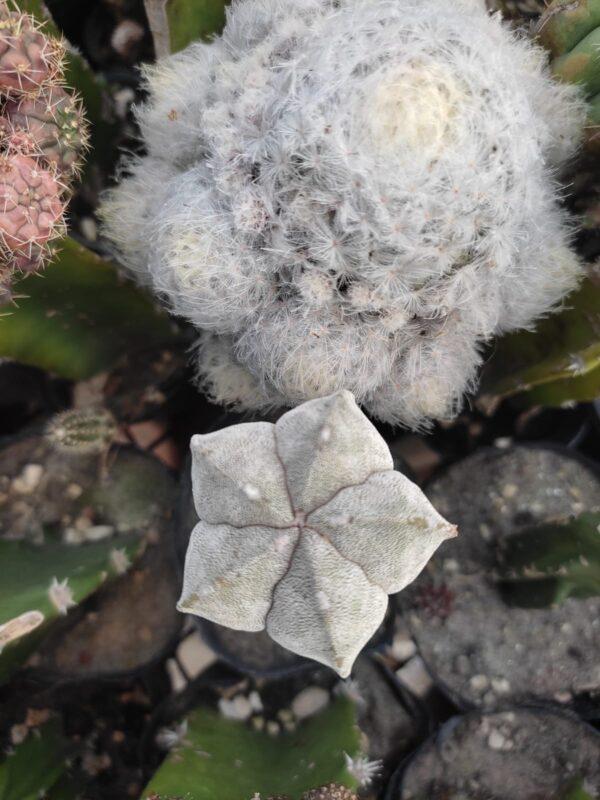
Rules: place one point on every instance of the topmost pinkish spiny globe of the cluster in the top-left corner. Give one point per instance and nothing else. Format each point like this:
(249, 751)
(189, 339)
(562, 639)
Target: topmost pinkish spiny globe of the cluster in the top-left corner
(29, 60)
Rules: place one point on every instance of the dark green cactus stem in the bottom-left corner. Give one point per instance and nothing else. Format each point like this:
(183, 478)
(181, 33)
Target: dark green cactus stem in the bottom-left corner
(35, 765)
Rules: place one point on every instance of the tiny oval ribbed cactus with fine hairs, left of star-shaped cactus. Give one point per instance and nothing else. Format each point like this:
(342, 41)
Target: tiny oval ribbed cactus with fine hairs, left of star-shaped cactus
(82, 432)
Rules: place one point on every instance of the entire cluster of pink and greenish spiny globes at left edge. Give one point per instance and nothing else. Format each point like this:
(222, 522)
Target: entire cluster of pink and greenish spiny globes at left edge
(43, 135)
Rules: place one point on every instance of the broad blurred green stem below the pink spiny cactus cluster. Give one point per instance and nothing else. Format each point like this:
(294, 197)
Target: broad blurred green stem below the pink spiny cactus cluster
(80, 316)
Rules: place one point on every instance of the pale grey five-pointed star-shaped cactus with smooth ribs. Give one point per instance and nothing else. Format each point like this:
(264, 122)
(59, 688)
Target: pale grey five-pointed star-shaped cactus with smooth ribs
(305, 529)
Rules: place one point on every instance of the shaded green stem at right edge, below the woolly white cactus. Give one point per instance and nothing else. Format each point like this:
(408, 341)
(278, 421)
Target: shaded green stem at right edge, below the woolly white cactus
(563, 347)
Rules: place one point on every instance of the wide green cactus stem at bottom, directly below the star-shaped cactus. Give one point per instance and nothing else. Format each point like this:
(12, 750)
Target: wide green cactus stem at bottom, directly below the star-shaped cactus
(219, 758)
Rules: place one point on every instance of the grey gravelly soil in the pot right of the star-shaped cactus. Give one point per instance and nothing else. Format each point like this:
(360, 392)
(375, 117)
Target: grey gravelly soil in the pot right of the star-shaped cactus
(483, 651)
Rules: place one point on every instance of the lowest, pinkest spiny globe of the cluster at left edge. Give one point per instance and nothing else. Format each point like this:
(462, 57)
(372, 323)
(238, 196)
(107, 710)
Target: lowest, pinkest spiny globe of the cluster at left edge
(31, 212)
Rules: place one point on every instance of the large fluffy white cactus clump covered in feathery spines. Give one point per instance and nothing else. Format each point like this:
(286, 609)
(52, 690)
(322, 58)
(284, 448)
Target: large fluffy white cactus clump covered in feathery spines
(351, 194)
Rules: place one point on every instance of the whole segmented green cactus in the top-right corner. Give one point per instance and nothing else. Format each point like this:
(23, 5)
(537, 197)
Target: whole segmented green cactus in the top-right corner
(571, 31)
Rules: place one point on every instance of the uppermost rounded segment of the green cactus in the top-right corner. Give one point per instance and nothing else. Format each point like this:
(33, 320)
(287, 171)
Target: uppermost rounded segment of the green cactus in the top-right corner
(565, 23)
